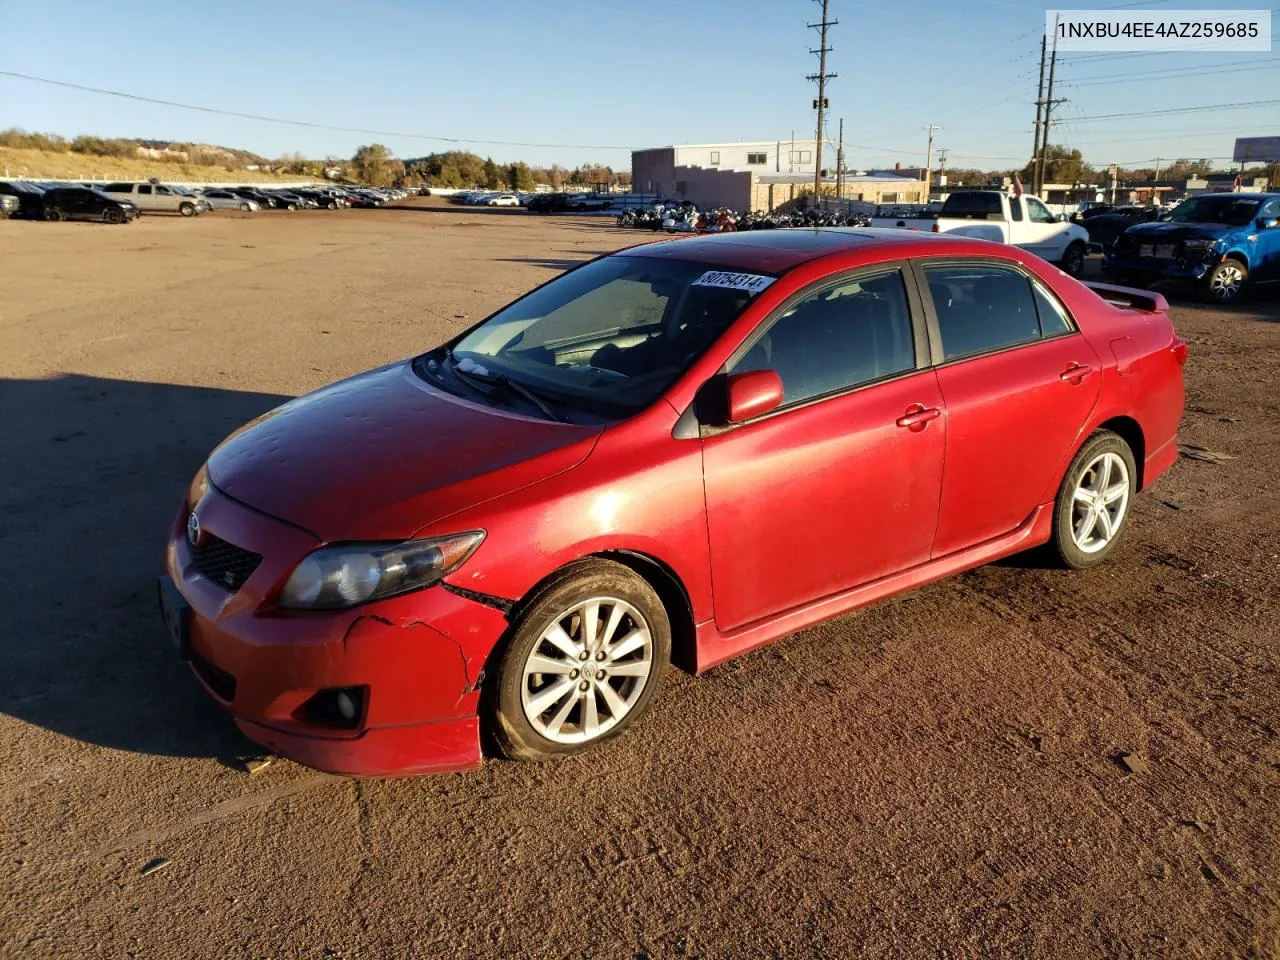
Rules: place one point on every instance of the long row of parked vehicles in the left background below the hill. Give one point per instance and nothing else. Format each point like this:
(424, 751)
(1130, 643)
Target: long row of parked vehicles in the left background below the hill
(125, 200)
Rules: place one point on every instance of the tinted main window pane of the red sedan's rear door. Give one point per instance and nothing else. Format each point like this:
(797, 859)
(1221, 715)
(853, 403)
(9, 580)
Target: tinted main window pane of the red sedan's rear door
(982, 308)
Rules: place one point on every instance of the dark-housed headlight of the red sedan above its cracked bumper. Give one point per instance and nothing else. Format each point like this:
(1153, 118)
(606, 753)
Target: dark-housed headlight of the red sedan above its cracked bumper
(346, 575)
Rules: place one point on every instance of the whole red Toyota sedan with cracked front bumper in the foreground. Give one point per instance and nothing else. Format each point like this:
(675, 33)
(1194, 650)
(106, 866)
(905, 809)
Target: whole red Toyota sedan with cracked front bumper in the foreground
(678, 452)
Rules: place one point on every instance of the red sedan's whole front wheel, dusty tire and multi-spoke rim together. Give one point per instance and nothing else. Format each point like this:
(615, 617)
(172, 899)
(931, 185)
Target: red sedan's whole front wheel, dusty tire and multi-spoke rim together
(525, 716)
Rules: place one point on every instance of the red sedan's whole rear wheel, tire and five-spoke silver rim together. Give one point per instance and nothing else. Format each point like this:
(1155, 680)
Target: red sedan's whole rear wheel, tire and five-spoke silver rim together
(1094, 472)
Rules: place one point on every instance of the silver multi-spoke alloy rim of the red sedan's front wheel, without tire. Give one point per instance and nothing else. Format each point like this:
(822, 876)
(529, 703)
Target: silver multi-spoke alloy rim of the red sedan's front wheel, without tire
(587, 671)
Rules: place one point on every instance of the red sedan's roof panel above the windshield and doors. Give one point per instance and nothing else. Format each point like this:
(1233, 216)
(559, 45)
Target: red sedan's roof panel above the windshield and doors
(779, 252)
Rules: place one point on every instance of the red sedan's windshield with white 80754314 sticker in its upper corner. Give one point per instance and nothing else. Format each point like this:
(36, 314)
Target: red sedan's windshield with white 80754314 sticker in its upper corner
(614, 333)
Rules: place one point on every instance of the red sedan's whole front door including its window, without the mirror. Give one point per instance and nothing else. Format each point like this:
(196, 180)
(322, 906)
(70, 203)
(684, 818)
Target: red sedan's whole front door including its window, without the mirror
(840, 486)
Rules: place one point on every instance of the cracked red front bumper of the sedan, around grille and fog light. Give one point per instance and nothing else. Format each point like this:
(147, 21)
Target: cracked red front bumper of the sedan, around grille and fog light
(419, 657)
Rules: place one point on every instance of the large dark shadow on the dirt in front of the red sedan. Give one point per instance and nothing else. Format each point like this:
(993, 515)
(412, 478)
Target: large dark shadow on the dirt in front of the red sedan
(95, 472)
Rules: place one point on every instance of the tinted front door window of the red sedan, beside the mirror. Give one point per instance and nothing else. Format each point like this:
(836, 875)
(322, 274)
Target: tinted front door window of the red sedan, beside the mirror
(838, 339)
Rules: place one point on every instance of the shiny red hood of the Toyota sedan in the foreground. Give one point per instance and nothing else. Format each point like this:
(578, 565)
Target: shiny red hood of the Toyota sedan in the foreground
(382, 455)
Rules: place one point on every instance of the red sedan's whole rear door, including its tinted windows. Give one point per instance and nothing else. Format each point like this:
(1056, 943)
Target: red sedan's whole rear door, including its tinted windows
(1018, 382)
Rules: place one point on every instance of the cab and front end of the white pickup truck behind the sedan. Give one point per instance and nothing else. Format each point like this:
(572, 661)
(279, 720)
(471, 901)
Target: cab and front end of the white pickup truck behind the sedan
(1022, 221)
